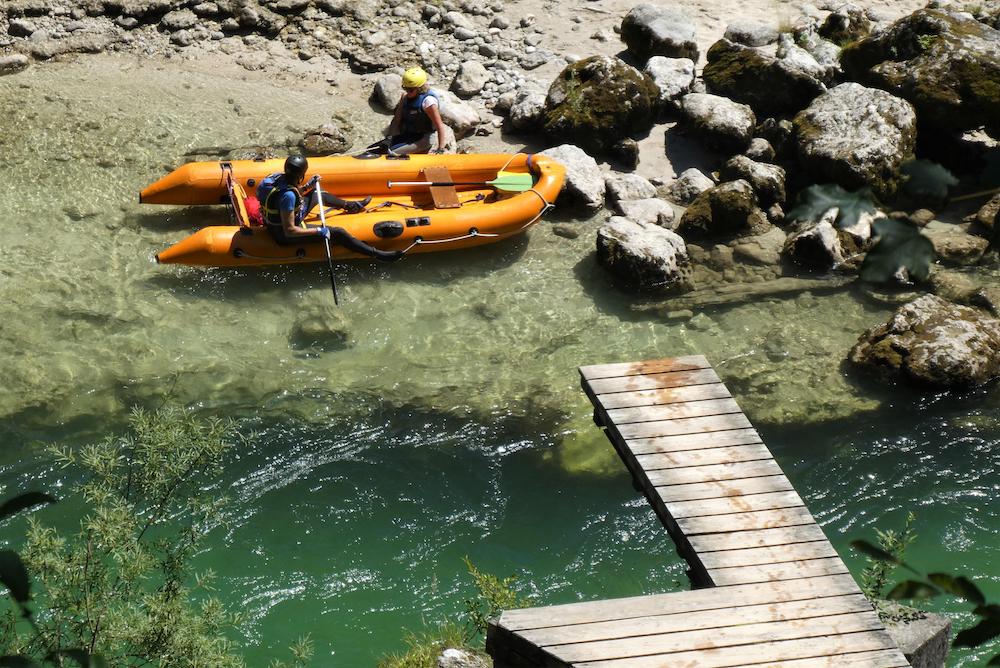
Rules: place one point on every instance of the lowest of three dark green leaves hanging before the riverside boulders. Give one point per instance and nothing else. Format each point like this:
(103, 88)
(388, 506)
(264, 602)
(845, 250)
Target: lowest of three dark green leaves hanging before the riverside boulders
(898, 246)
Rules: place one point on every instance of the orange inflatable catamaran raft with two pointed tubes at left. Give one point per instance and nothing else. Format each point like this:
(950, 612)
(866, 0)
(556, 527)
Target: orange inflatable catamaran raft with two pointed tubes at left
(420, 203)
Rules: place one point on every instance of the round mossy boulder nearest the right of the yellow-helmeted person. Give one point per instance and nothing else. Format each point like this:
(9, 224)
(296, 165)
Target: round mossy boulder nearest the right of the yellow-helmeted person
(598, 101)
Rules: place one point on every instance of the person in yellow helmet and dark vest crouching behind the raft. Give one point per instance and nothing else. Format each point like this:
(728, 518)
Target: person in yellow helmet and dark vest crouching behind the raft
(417, 118)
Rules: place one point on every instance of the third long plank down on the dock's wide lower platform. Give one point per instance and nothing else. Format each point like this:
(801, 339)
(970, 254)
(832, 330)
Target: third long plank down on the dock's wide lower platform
(751, 635)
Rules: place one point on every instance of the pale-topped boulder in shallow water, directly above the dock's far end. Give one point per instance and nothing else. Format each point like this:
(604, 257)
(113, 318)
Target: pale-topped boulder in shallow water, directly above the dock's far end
(647, 256)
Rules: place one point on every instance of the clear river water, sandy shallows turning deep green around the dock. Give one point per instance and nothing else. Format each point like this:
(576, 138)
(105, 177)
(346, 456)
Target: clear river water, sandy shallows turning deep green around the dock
(444, 418)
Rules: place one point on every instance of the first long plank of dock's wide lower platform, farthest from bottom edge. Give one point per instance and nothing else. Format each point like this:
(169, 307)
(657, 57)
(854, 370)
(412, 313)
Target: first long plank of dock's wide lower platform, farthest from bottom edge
(683, 602)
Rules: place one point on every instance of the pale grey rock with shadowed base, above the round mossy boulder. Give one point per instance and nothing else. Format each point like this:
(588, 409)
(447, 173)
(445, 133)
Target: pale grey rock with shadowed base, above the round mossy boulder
(652, 30)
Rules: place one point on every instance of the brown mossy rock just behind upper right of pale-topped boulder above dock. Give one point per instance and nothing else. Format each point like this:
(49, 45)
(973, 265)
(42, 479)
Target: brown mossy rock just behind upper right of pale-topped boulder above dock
(727, 210)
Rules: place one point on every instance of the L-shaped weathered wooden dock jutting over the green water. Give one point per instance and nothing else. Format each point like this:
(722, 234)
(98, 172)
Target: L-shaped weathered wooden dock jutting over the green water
(775, 591)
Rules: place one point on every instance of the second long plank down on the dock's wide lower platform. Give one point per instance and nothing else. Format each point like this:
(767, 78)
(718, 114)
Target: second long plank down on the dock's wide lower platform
(693, 621)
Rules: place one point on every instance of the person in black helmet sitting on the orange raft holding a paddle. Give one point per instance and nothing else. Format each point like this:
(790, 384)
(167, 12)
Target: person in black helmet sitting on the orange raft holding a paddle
(284, 207)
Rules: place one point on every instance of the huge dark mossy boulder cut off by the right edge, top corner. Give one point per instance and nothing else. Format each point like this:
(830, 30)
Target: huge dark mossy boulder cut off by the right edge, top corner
(945, 63)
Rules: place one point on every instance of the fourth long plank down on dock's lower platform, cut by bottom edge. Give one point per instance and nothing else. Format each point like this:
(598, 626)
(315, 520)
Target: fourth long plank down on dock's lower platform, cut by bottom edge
(759, 653)
